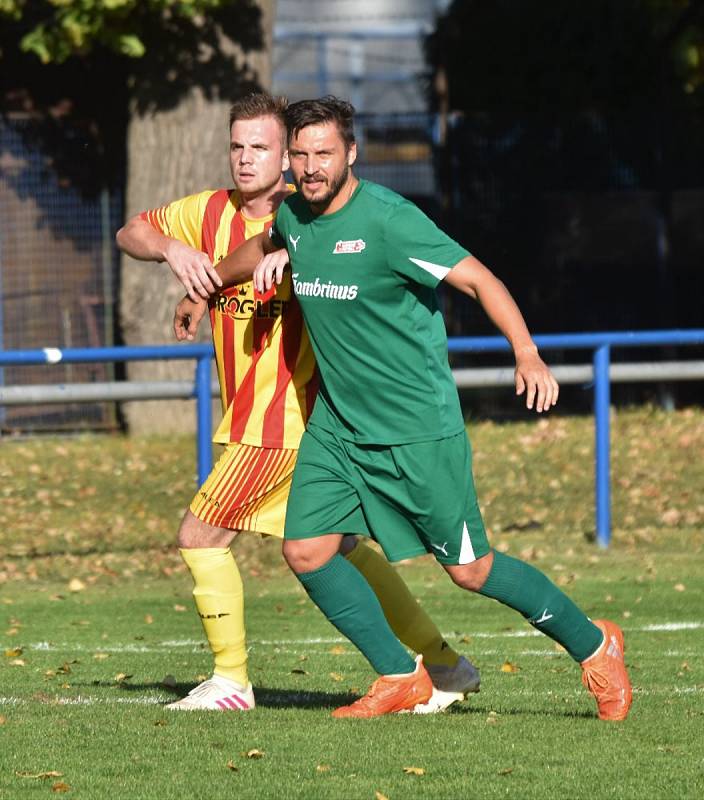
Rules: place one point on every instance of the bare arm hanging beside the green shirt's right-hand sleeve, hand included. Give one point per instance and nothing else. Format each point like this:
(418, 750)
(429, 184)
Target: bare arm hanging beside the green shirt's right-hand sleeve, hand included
(532, 374)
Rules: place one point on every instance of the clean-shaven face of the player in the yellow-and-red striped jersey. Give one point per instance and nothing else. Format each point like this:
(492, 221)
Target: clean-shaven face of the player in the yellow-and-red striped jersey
(257, 154)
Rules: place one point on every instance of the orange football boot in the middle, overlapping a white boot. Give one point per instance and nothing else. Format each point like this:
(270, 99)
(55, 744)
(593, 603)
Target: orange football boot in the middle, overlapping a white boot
(391, 693)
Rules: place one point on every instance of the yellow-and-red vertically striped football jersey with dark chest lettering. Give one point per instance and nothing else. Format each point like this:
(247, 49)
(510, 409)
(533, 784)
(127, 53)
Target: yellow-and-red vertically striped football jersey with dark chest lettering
(264, 359)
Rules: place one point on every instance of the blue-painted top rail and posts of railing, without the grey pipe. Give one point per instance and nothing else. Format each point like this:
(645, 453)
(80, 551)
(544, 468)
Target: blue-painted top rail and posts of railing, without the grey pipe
(599, 343)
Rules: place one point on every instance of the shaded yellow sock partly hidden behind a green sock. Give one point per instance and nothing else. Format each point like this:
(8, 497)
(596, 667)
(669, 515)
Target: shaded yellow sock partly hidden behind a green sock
(407, 619)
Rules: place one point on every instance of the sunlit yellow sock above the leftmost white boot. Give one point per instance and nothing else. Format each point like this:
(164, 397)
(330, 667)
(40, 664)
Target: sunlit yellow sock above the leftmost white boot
(219, 598)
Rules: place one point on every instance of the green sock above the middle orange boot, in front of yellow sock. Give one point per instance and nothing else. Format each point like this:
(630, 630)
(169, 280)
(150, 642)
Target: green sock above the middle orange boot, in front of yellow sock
(346, 599)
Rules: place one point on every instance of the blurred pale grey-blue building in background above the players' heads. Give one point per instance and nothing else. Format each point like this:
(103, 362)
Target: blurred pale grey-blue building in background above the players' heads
(369, 52)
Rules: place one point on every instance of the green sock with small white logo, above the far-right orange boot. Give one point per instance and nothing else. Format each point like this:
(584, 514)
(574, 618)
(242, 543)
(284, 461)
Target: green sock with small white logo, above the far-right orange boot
(525, 589)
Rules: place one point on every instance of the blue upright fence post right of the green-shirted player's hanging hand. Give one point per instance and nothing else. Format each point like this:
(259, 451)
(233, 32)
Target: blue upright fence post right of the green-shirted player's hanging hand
(602, 397)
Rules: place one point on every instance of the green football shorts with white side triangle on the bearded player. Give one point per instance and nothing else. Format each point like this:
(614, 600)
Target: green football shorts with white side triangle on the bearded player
(411, 498)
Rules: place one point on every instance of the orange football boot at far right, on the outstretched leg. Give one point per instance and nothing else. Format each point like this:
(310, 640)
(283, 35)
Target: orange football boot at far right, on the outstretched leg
(604, 674)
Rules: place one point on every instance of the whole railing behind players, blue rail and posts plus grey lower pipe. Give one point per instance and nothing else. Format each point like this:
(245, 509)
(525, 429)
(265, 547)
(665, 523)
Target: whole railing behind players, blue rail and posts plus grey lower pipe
(601, 374)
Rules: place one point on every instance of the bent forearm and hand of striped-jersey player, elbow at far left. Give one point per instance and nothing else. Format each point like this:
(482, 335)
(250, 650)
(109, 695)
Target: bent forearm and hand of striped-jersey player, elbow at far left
(141, 240)
